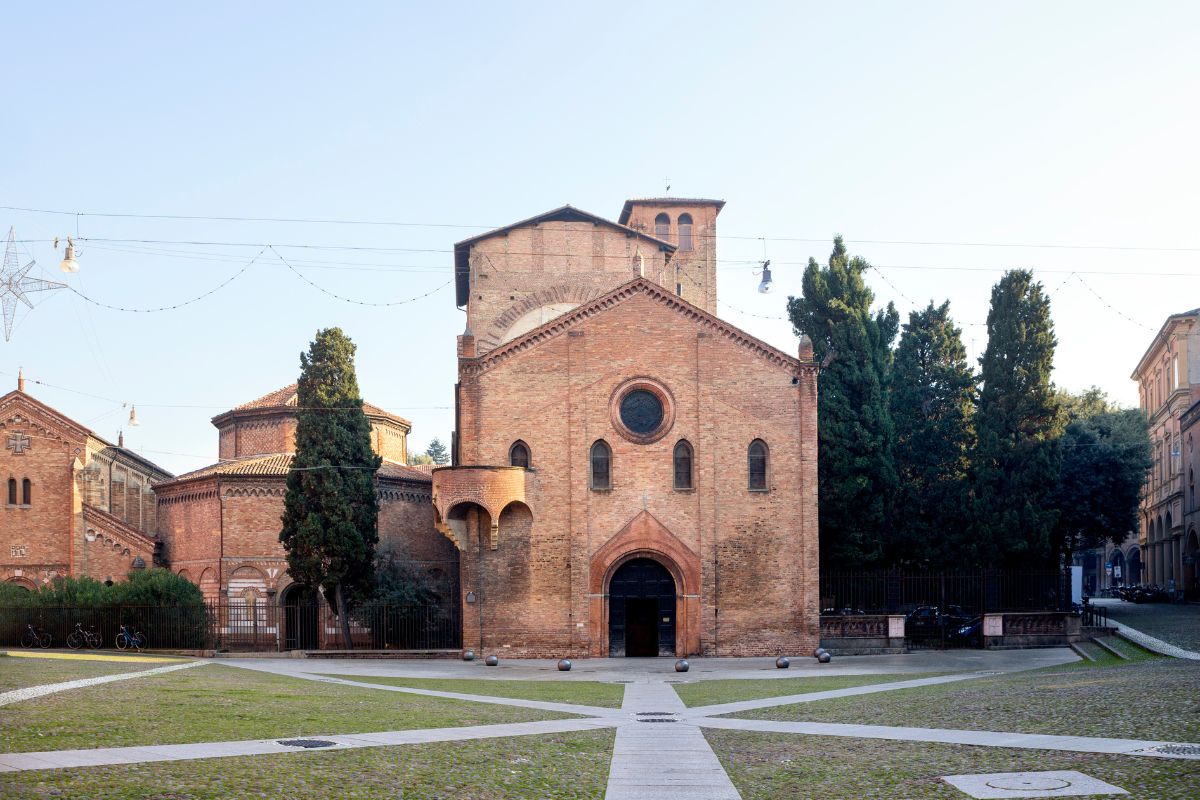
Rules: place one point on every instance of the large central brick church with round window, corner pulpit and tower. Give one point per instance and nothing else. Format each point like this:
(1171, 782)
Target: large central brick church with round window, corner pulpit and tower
(632, 474)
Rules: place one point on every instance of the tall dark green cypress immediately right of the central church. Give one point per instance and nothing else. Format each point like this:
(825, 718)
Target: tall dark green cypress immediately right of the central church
(856, 473)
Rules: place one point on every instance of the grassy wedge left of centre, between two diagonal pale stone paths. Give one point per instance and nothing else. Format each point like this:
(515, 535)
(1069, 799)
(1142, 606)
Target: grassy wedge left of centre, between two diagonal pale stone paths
(215, 703)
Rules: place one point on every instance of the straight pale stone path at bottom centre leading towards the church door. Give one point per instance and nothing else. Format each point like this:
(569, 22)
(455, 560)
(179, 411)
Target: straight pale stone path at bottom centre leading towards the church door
(659, 756)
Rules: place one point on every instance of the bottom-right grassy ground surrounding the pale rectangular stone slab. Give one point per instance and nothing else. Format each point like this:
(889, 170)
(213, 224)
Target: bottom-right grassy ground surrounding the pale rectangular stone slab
(771, 766)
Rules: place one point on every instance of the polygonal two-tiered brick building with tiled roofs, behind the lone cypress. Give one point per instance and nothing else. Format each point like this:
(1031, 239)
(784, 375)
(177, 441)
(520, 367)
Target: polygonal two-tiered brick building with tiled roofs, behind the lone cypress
(220, 526)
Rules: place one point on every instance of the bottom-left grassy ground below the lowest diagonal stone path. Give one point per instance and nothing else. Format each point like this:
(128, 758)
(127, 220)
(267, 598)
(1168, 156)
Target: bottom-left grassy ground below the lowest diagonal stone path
(568, 767)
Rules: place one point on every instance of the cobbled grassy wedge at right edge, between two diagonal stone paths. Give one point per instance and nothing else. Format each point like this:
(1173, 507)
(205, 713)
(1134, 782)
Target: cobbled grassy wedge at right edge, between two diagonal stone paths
(1149, 700)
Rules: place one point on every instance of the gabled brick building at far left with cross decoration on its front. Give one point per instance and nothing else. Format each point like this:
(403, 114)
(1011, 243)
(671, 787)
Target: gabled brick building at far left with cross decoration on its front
(74, 504)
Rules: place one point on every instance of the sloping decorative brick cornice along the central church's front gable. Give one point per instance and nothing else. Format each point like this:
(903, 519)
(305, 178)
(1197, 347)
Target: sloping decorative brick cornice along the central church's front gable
(637, 287)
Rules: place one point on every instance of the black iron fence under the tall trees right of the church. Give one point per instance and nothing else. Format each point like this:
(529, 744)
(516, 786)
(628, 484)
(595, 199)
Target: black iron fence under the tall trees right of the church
(991, 592)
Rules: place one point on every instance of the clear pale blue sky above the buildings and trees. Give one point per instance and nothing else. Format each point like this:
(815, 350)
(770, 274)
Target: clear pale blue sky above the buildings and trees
(1001, 124)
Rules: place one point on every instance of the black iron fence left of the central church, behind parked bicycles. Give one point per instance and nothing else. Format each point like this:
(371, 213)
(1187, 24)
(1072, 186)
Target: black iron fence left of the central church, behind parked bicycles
(245, 627)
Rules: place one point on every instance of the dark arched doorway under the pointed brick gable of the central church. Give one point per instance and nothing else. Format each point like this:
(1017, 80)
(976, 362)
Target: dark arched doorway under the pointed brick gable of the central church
(641, 610)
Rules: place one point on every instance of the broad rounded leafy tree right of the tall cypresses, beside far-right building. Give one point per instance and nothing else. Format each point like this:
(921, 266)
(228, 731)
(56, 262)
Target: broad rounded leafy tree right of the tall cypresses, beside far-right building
(1106, 455)
